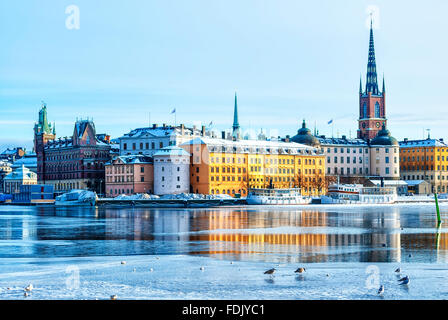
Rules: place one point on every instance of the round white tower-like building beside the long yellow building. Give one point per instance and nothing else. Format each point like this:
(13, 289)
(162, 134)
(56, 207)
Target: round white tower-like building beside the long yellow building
(171, 171)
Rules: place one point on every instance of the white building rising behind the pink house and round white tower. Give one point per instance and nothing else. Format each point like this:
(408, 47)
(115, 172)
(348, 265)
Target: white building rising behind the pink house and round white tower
(147, 141)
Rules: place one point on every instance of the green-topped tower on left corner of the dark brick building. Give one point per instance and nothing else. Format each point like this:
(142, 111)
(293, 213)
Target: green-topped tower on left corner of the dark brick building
(43, 132)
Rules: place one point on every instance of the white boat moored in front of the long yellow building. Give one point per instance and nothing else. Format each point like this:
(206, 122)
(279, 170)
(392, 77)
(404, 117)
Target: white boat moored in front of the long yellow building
(291, 196)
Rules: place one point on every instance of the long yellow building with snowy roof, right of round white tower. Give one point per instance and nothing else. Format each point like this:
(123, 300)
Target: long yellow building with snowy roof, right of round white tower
(221, 166)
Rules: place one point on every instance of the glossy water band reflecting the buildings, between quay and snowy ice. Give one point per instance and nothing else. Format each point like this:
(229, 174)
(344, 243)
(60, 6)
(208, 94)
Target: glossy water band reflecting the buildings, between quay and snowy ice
(381, 234)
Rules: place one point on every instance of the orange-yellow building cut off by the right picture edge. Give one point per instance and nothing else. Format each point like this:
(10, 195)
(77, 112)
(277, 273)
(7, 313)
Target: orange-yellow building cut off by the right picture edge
(425, 160)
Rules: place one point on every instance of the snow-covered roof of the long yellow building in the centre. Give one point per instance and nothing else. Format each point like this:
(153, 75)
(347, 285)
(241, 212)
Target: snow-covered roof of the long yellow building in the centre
(253, 146)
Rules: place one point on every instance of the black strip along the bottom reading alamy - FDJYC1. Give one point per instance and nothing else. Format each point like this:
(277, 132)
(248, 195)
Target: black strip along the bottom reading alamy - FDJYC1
(214, 309)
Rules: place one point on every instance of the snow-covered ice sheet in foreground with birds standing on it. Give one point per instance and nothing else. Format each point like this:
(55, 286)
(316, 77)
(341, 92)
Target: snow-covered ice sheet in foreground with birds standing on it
(181, 277)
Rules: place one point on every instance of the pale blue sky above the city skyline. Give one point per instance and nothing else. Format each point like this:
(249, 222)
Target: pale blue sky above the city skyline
(288, 60)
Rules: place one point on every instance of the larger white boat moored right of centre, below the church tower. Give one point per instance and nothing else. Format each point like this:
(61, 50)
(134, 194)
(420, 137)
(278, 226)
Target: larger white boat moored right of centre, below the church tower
(357, 194)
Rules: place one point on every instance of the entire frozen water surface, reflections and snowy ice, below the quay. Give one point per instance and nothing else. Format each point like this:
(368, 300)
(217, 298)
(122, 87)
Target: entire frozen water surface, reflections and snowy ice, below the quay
(49, 247)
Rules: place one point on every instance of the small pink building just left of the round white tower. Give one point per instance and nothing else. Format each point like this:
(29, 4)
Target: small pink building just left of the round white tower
(129, 175)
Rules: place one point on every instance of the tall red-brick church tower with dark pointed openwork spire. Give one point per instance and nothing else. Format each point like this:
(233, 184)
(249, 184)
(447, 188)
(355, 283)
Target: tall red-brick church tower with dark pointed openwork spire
(372, 102)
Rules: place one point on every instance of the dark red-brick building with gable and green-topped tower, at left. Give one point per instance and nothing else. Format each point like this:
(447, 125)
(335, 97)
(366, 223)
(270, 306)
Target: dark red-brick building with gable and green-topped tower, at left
(75, 162)
